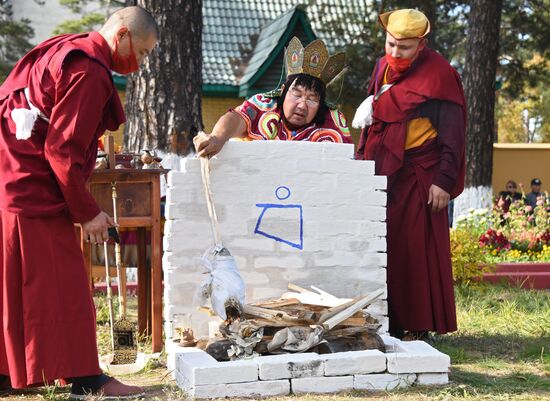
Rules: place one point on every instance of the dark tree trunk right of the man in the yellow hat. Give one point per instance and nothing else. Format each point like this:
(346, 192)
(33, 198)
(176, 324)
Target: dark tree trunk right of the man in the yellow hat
(479, 87)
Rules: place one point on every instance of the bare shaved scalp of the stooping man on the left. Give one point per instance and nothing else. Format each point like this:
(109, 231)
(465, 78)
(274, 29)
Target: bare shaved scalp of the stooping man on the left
(138, 21)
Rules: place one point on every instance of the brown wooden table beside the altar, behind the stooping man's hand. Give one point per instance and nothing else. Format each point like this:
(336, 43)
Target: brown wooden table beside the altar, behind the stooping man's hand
(138, 206)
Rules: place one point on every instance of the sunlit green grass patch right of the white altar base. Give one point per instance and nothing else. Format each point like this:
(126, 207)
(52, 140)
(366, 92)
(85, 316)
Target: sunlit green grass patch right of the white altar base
(502, 348)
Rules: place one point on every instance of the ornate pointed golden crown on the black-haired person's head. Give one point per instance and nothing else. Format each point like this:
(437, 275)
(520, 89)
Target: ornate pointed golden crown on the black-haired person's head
(313, 60)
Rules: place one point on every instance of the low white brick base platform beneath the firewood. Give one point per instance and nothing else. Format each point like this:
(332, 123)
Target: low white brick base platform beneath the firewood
(405, 364)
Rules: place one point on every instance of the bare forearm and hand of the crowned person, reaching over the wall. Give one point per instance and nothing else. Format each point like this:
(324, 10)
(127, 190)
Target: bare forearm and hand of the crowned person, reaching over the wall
(230, 125)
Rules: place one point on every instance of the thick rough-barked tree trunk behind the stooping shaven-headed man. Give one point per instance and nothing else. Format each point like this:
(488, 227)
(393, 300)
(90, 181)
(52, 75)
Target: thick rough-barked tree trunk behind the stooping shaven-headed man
(163, 99)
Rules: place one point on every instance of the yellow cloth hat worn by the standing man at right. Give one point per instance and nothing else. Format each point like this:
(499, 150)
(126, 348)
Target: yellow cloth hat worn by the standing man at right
(405, 24)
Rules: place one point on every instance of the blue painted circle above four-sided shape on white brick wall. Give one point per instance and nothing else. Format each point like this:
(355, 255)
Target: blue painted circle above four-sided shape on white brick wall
(281, 232)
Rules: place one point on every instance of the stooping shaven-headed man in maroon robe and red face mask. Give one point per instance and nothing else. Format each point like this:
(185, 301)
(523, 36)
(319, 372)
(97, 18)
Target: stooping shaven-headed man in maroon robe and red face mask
(55, 104)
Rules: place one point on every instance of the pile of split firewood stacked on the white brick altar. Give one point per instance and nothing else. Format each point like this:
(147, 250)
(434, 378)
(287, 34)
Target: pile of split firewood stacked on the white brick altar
(302, 320)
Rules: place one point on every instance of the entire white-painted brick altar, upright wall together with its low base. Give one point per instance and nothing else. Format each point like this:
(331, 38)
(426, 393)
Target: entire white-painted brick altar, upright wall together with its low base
(290, 212)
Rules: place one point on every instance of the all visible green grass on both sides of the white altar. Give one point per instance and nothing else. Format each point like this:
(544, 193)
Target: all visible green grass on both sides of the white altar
(501, 352)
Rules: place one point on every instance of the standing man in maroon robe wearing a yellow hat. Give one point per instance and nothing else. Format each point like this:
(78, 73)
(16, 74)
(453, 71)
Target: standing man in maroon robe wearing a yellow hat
(415, 133)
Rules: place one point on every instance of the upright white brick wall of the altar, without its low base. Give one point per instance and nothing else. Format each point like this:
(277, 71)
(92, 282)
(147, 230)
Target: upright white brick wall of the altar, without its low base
(343, 209)
